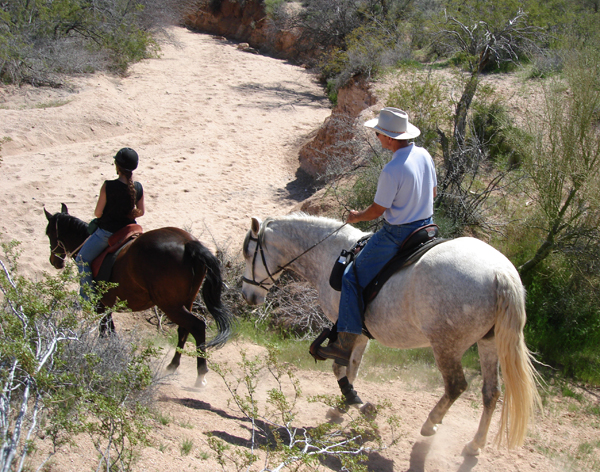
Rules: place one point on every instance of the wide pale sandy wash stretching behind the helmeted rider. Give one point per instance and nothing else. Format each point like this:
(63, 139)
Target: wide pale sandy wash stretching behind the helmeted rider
(217, 130)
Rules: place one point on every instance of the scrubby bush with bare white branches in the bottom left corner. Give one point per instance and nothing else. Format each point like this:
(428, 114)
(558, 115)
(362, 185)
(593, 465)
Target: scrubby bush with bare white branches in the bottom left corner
(59, 379)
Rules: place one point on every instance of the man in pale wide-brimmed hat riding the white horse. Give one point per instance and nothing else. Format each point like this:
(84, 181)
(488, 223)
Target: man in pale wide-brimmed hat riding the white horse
(406, 188)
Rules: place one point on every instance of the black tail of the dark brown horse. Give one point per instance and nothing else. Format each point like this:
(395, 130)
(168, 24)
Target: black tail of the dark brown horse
(211, 290)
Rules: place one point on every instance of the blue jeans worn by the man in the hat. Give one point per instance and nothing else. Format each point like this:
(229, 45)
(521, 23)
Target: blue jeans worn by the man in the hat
(378, 251)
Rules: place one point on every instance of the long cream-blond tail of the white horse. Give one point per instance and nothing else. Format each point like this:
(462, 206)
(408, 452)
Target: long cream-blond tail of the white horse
(520, 377)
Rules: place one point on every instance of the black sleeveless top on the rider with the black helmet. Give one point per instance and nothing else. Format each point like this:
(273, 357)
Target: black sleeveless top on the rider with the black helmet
(118, 205)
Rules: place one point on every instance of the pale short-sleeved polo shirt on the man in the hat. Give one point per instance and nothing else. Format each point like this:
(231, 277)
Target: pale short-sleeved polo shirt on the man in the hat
(406, 184)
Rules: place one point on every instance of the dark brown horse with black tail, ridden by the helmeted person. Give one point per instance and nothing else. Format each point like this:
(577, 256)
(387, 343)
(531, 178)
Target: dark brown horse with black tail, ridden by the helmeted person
(164, 268)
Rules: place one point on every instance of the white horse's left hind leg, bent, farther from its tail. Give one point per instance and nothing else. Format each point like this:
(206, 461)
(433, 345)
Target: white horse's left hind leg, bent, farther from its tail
(454, 384)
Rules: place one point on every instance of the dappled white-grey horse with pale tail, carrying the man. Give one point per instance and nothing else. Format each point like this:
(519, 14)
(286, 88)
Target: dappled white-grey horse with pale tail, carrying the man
(461, 292)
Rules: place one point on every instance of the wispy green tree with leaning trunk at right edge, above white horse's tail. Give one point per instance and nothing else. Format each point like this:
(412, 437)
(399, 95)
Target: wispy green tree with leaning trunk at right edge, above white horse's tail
(563, 157)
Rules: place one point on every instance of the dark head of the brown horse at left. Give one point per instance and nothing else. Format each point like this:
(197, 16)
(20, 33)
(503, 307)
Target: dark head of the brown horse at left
(66, 233)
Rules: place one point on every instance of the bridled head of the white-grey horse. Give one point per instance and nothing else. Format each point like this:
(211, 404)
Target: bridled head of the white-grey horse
(259, 275)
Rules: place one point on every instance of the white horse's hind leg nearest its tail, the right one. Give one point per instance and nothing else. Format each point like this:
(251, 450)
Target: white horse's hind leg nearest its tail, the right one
(491, 392)
